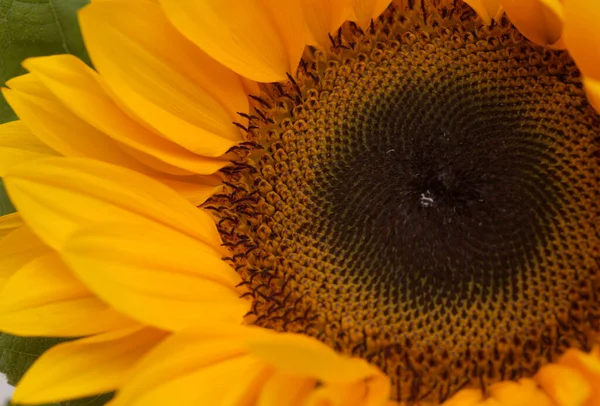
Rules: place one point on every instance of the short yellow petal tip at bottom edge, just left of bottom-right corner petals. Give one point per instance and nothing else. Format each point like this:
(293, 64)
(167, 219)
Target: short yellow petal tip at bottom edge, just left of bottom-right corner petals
(522, 393)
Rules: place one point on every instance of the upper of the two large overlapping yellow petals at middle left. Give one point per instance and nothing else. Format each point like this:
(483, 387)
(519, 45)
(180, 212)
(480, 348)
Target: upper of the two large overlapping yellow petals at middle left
(57, 196)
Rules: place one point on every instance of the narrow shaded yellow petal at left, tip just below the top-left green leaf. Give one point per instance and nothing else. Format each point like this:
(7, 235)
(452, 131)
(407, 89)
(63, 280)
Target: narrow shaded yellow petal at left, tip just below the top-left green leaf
(56, 126)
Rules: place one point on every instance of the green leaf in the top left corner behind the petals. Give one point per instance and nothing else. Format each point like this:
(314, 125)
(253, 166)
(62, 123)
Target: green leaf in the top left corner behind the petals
(36, 28)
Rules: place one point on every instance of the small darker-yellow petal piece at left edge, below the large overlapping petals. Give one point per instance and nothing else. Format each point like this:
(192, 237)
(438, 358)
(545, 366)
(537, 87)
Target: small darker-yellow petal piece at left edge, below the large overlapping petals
(17, 249)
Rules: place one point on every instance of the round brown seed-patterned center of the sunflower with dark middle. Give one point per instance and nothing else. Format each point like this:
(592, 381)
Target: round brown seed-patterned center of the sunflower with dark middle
(423, 195)
